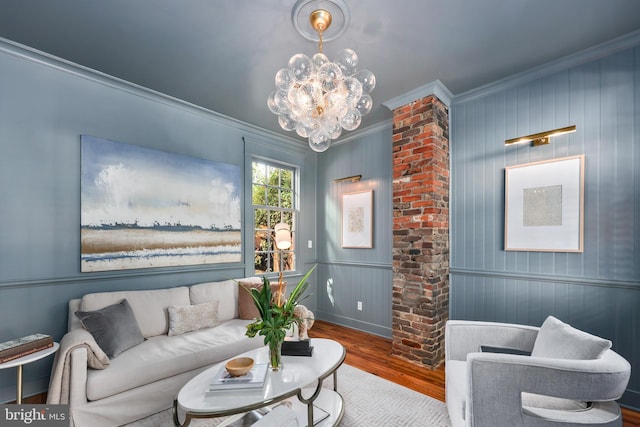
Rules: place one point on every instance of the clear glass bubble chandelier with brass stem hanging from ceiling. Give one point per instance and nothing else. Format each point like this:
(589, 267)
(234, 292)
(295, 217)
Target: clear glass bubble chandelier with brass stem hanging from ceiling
(319, 98)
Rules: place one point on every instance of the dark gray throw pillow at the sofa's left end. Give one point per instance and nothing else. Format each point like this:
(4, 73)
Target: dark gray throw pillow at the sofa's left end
(114, 327)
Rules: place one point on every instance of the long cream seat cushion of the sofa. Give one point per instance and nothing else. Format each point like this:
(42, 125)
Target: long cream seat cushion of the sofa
(163, 356)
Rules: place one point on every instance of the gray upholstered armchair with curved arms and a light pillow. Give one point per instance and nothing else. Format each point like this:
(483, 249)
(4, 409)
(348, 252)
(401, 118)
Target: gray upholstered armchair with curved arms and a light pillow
(570, 378)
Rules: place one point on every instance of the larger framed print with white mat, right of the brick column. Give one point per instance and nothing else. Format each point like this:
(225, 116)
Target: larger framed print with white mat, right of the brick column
(544, 206)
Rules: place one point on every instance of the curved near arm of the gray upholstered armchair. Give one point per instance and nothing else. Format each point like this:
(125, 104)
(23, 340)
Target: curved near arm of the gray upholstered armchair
(496, 383)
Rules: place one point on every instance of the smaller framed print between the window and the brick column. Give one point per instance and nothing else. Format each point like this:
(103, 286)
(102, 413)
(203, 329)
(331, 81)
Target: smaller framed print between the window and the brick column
(357, 220)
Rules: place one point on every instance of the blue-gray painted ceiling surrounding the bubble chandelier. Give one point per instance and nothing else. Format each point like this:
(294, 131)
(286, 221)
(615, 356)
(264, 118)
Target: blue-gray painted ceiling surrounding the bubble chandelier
(223, 54)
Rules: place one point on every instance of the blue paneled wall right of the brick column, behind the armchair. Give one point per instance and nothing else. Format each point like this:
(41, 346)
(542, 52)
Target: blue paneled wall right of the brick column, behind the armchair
(598, 290)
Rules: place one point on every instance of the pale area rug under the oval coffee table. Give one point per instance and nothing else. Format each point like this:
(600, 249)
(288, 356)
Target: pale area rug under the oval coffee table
(369, 401)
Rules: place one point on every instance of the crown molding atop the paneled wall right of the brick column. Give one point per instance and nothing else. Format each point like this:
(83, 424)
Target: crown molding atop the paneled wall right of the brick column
(594, 53)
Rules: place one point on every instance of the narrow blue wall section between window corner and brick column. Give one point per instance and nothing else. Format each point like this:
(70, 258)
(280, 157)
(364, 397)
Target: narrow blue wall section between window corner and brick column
(350, 275)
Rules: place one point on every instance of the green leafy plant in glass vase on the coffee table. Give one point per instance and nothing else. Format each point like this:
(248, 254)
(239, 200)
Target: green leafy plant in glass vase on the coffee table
(276, 313)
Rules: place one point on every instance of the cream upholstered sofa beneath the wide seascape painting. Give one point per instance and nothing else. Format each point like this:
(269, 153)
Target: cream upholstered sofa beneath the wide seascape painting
(144, 379)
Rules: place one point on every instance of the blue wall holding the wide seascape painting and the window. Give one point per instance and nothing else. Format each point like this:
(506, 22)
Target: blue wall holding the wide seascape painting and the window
(45, 105)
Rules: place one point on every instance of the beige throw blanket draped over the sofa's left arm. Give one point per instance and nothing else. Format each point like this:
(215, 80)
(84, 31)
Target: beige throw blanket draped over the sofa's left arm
(61, 375)
